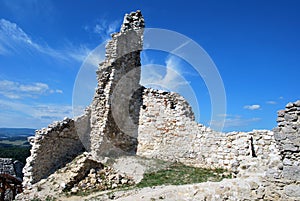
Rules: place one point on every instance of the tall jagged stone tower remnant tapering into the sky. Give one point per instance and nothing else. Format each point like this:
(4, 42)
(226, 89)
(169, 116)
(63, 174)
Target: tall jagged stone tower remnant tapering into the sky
(118, 79)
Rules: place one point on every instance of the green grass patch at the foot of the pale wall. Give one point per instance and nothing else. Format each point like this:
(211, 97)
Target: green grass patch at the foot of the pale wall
(179, 174)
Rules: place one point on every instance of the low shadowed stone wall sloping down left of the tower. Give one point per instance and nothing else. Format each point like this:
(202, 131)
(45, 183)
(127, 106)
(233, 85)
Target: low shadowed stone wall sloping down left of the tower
(52, 148)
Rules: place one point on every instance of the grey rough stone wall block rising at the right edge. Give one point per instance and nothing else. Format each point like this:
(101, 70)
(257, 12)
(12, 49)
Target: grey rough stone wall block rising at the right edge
(284, 179)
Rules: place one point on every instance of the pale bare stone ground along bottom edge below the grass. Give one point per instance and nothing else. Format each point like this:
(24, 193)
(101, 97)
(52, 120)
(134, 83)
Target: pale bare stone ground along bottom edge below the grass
(235, 189)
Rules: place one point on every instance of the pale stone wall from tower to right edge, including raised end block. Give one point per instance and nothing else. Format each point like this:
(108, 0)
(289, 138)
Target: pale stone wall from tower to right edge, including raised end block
(268, 161)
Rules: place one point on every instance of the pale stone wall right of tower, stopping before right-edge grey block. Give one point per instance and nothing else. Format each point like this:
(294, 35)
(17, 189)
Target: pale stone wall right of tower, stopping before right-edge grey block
(167, 131)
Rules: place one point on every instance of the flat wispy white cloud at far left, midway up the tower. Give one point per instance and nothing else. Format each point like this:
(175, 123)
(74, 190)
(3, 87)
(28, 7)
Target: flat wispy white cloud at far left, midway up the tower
(15, 90)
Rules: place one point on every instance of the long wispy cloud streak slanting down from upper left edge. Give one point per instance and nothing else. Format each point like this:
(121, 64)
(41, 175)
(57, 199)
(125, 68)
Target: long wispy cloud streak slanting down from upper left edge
(13, 39)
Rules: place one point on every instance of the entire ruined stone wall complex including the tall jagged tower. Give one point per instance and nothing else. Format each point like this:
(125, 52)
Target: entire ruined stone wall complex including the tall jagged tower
(125, 118)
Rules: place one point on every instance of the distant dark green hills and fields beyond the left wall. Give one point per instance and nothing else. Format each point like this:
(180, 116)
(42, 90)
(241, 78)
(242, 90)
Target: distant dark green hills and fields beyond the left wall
(14, 143)
